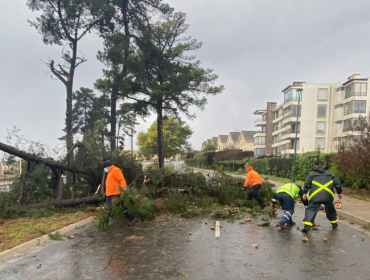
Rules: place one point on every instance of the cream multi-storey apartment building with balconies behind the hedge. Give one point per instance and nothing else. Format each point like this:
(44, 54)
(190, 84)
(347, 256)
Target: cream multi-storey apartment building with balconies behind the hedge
(326, 115)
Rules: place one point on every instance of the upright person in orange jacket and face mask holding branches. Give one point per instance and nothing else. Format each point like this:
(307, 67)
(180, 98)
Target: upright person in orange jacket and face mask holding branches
(113, 185)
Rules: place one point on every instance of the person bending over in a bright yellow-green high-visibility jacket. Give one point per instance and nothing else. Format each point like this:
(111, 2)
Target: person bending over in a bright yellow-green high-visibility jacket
(286, 195)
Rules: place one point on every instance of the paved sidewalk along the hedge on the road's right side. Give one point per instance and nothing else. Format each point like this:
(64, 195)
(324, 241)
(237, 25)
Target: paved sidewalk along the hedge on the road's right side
(353, 209)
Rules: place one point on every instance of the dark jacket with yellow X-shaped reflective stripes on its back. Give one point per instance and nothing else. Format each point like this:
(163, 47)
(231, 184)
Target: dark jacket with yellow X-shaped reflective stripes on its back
(321, 183)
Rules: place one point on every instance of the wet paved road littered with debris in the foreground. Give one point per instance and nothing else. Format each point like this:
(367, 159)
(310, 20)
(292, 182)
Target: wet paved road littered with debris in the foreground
(163, 249)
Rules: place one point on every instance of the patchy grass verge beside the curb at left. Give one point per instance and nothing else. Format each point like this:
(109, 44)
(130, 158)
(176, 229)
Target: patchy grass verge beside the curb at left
(14, 232)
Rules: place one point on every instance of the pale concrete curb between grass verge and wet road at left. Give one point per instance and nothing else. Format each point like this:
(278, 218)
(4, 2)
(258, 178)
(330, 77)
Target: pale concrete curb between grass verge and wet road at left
(42, 239)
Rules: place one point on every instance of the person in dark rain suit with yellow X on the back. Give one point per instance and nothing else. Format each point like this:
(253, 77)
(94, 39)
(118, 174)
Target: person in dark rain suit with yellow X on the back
(321, 183)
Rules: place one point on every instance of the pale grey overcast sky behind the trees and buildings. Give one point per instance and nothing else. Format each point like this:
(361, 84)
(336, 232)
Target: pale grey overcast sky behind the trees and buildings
(257, 47)
